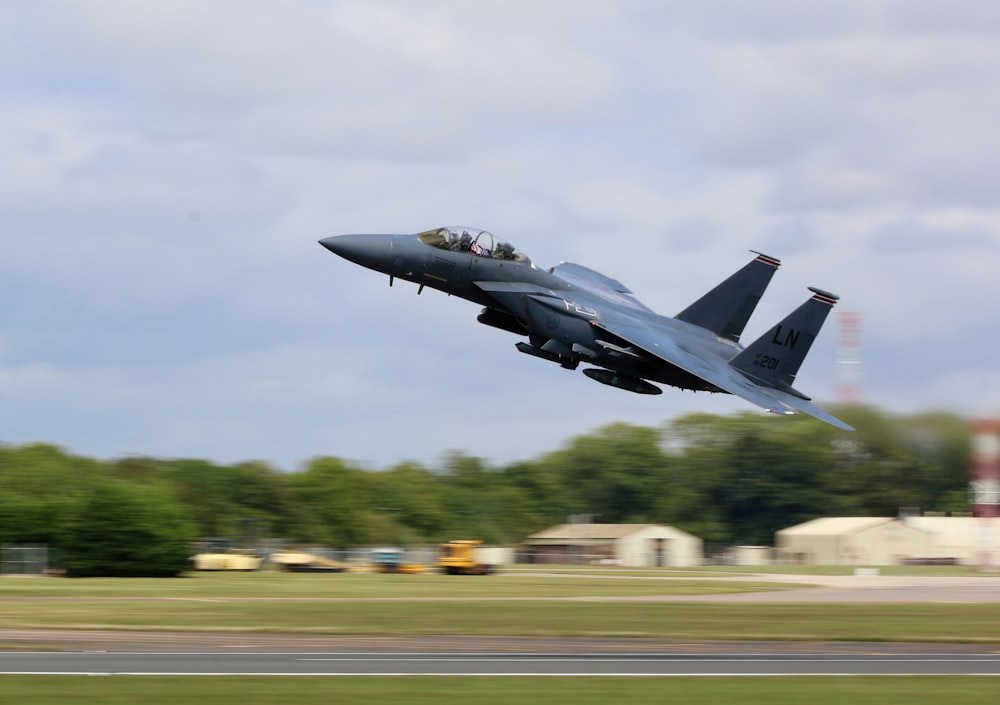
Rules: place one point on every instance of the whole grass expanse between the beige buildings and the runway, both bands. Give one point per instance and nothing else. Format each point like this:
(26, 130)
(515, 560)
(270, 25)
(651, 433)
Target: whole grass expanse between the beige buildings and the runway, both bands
(597, 605)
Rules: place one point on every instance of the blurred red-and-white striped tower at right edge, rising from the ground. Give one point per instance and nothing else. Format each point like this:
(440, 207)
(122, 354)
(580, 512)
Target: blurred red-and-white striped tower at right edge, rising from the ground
(984, 485)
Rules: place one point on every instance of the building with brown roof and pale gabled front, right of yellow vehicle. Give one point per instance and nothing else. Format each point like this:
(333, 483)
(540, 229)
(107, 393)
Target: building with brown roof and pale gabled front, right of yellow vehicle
(615, 544)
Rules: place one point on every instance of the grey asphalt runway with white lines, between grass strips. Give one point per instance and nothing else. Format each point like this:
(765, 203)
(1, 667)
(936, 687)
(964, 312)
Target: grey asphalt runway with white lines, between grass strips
(216, 663)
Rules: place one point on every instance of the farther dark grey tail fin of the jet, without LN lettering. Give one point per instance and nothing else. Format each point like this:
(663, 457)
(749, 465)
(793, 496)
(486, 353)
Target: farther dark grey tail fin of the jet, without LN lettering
(726, 309)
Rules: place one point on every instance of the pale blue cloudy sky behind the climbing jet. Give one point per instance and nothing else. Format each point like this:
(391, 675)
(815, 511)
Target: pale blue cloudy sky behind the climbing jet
(167, 167)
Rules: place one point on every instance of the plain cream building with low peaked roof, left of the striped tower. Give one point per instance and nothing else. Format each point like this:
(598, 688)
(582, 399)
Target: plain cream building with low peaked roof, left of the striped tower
(852, 541)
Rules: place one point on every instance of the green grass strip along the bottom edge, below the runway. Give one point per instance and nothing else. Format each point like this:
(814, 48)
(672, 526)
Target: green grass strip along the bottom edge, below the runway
(425, 690)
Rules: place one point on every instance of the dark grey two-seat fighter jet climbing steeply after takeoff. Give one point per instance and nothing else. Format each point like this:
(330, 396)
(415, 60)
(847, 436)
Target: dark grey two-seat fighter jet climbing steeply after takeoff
(571, 315)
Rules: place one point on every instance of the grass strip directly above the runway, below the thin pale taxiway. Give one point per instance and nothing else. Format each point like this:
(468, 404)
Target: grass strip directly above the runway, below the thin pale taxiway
(824, 622)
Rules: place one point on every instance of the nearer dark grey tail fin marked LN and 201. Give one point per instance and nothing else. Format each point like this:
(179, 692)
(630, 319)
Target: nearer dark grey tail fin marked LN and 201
(774, 359)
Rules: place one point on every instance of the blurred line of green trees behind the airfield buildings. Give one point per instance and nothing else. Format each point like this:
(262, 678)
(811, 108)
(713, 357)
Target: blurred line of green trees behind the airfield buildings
(731, 480)
